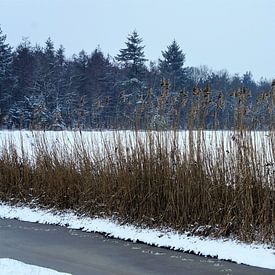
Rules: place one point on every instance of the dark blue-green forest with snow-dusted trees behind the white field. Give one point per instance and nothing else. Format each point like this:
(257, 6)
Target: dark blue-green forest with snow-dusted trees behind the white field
(40, 88)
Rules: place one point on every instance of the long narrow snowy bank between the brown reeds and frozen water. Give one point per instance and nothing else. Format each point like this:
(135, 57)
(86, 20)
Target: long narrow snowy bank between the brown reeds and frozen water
(224, 249)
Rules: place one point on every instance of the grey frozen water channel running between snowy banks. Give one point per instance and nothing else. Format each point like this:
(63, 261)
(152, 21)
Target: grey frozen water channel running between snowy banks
(81, 253)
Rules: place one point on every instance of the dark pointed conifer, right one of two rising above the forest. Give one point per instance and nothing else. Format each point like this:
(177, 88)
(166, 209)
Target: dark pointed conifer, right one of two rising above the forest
(171, 66)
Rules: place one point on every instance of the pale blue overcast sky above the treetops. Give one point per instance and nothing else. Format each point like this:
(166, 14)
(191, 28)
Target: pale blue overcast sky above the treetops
(236, 35)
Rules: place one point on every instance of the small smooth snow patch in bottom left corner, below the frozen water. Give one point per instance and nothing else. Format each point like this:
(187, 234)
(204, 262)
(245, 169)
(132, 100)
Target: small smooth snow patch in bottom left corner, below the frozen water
(14, 267)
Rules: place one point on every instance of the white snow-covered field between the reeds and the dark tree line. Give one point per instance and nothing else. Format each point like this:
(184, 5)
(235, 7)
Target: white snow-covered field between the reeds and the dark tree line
(98, 142)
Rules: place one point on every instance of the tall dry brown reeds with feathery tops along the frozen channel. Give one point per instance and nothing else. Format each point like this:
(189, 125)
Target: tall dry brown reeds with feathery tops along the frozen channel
(218, 183)
